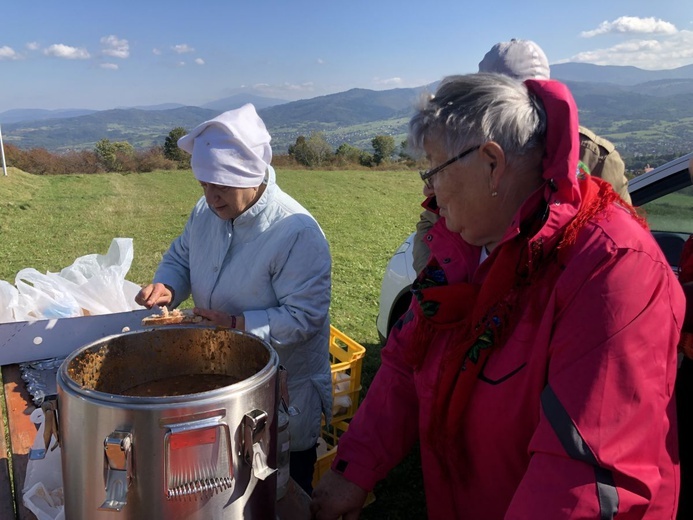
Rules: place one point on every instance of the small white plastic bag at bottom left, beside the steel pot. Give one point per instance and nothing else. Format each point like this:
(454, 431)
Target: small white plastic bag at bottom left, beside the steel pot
(43, 486)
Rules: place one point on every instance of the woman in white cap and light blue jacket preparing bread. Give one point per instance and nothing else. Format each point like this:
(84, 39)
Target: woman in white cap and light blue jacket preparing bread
(255, 260)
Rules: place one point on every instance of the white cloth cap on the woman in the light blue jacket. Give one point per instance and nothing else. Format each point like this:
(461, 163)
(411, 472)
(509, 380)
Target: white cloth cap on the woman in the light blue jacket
(230, 150)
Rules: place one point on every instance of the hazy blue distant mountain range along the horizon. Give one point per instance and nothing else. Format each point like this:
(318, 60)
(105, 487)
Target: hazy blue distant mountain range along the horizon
(641, 111)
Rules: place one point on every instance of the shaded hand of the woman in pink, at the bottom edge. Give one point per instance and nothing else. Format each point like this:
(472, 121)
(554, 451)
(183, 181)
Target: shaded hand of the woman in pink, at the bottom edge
(336, 497)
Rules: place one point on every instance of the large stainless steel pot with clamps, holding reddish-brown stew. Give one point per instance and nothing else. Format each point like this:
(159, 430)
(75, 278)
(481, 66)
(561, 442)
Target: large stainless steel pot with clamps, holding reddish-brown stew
(202, 455)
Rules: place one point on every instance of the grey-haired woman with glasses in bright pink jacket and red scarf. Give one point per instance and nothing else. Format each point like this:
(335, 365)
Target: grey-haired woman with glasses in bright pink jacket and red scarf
(536, 363)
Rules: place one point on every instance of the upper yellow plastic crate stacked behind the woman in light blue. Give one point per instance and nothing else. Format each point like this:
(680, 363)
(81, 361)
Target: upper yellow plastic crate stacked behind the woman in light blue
(346, 358)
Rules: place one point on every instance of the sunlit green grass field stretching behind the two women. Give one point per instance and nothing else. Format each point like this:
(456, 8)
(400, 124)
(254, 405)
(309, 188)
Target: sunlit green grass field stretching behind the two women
(46, 222)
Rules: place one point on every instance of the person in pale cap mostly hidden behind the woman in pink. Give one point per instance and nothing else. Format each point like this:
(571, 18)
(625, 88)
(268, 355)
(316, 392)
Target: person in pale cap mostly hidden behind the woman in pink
(524, 59)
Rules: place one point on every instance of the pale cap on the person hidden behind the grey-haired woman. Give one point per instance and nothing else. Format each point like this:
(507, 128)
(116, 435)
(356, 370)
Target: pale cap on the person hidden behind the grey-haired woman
(519, 59)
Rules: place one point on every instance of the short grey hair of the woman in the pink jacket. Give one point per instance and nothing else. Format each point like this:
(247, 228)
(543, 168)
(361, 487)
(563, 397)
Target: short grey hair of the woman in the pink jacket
(473, 109)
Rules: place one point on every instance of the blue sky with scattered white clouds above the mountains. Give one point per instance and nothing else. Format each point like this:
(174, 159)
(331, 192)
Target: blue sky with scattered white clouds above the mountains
(101, 55)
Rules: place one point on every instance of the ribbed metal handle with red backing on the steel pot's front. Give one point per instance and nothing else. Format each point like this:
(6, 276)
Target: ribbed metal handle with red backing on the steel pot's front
(199, 460)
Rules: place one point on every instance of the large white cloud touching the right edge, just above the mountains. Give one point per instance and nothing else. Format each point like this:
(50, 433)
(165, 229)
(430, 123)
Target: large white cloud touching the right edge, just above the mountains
(667, 52)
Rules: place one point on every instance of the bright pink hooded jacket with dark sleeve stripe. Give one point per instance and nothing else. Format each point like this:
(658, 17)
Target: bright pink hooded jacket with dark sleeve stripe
(573, 417)
